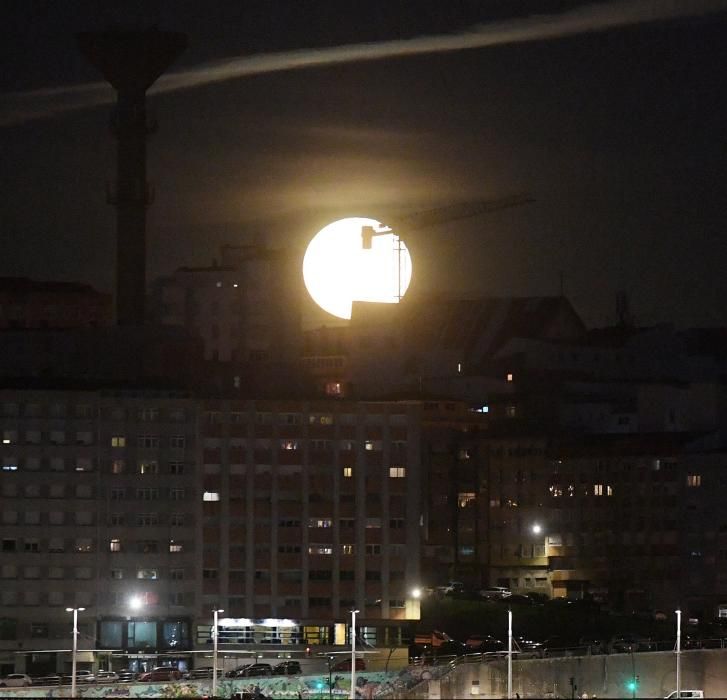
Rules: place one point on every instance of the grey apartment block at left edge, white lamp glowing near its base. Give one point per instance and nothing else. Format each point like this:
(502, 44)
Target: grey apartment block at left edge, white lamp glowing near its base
(99, 508)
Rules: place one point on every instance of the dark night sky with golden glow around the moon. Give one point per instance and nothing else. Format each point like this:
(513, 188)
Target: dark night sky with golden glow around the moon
(619, 135)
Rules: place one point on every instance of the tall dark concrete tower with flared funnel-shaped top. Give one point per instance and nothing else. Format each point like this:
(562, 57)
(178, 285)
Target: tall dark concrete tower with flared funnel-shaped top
(131, 61)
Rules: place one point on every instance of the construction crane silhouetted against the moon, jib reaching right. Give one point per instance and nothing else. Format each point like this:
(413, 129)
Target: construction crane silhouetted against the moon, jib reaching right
(432, 217)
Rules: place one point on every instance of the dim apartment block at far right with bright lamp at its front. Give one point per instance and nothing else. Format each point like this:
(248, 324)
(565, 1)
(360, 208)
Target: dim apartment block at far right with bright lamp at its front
(630, 519)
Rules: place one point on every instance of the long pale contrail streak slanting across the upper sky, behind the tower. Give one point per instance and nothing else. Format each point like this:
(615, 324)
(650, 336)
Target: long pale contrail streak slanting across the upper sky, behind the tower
(20, 107)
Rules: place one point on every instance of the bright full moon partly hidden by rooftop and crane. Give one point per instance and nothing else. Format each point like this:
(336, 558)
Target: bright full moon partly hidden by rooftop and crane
(356, 259)
